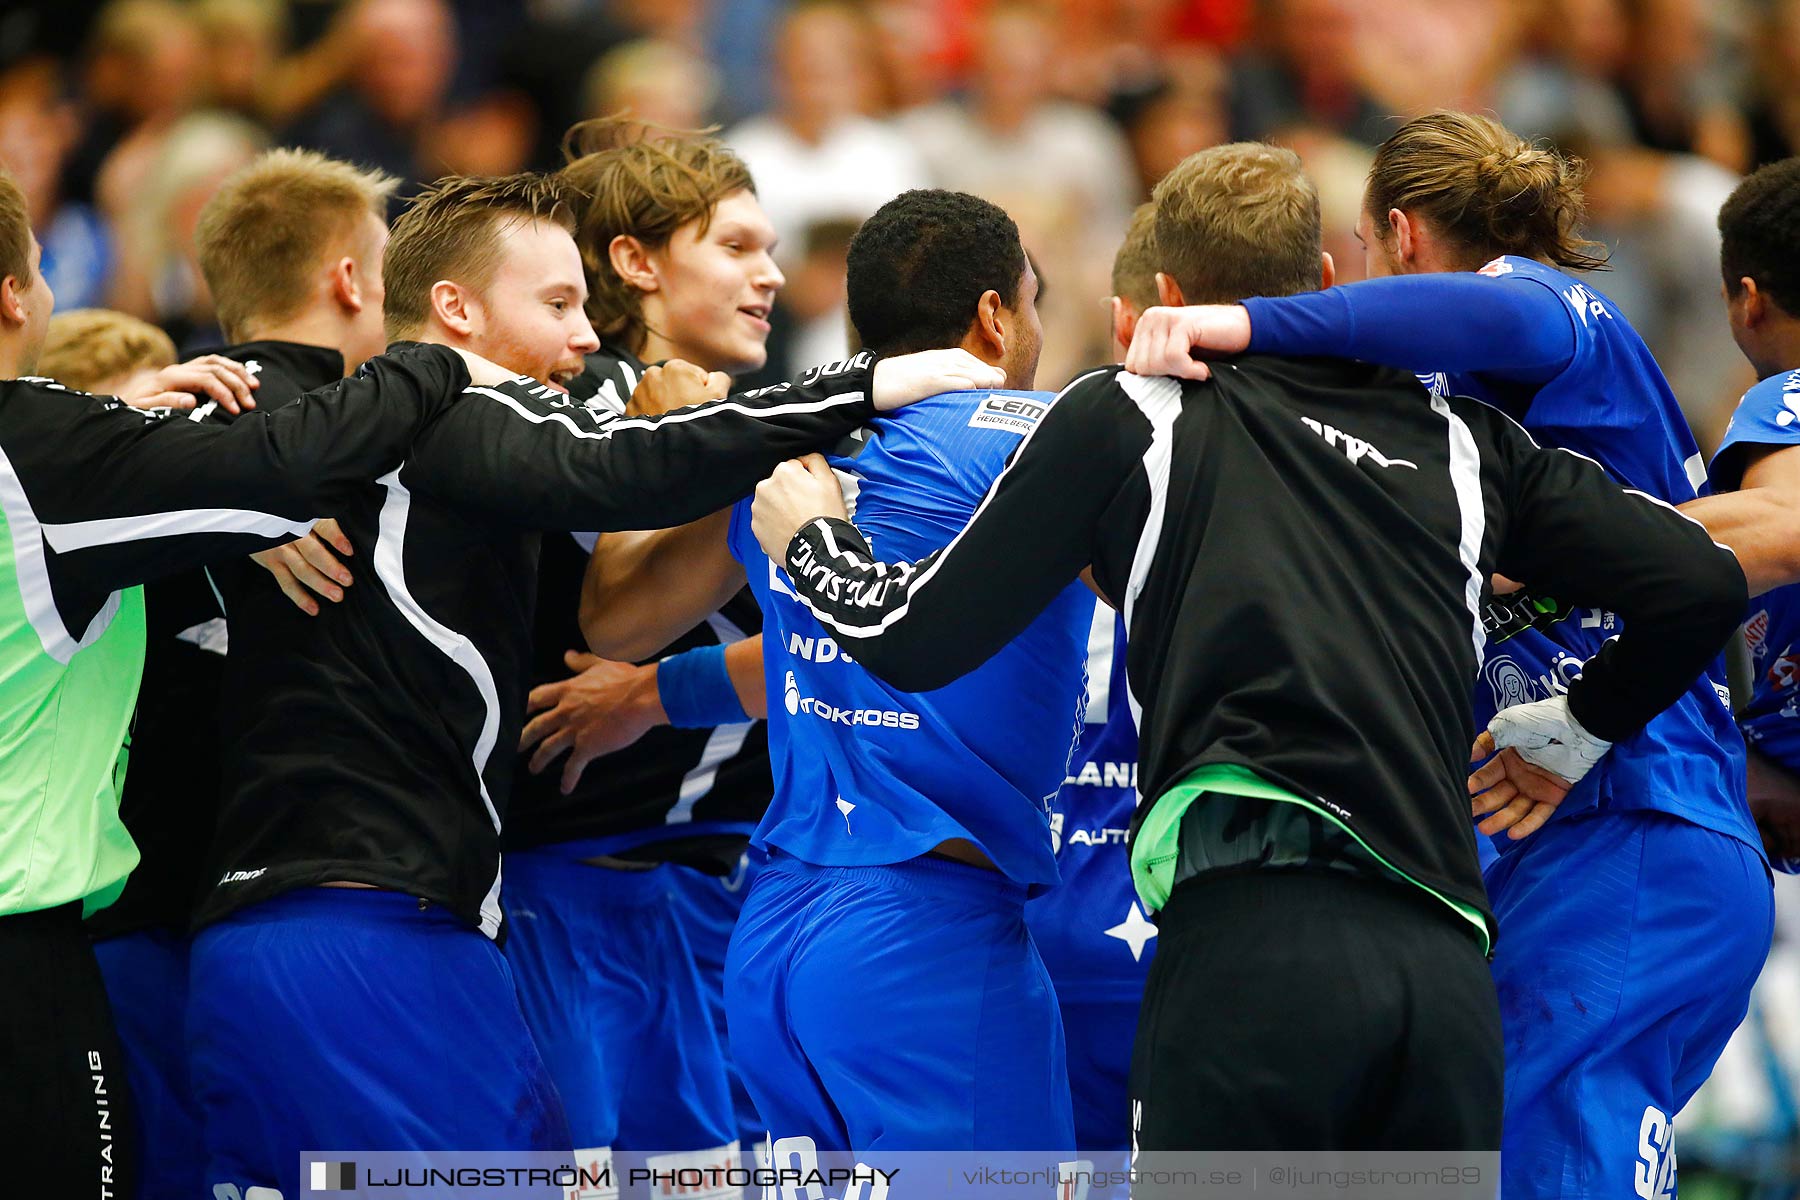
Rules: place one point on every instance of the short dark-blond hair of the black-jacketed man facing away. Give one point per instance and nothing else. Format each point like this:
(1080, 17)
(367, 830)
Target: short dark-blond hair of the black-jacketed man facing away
(1239, 220)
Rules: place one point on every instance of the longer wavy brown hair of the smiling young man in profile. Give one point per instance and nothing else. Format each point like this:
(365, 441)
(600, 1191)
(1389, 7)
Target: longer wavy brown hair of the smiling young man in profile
(642, 183)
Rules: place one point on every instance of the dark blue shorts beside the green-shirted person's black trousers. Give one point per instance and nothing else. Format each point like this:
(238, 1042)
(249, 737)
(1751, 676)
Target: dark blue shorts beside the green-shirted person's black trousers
(147, 981)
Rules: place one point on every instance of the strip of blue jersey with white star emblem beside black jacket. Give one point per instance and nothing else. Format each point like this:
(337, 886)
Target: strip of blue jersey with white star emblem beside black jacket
(1092, 931)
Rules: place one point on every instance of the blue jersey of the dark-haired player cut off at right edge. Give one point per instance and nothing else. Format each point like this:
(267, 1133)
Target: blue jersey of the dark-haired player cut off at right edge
(1768, 416)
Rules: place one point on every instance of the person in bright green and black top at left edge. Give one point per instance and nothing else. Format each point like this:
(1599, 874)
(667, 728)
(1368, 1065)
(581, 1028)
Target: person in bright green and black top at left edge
(94, 501)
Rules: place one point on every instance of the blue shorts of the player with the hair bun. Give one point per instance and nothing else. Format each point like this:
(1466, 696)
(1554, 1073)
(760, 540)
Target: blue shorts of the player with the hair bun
(1628, 947)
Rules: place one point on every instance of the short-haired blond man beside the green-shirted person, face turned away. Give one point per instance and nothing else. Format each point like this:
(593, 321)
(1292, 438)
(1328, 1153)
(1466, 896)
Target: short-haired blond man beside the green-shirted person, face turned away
(292, 251)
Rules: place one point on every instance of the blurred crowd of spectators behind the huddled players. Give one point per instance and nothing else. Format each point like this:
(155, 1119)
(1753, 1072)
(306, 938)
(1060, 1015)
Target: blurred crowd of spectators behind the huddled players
(121, 118)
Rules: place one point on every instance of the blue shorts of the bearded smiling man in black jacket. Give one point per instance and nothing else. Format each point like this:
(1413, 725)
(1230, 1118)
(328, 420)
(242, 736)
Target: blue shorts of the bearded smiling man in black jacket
(350, 1019)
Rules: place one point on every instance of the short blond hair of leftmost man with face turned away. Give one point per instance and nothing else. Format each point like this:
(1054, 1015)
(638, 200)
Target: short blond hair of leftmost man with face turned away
(269, 228)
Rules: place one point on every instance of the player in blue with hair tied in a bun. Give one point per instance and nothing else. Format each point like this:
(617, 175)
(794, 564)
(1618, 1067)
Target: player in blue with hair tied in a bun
(1635, 922)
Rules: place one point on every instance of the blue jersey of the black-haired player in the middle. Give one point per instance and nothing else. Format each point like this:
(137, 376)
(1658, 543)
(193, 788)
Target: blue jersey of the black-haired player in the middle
(872, 776)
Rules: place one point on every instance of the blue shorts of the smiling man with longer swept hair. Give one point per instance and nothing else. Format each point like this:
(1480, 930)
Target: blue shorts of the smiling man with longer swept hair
(615, 1001)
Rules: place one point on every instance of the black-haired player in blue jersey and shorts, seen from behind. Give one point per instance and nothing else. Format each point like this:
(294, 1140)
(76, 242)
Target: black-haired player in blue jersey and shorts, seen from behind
(883, 987)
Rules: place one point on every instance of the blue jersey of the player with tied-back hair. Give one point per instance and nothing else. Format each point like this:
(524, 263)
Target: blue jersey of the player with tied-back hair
(1614, 406)
